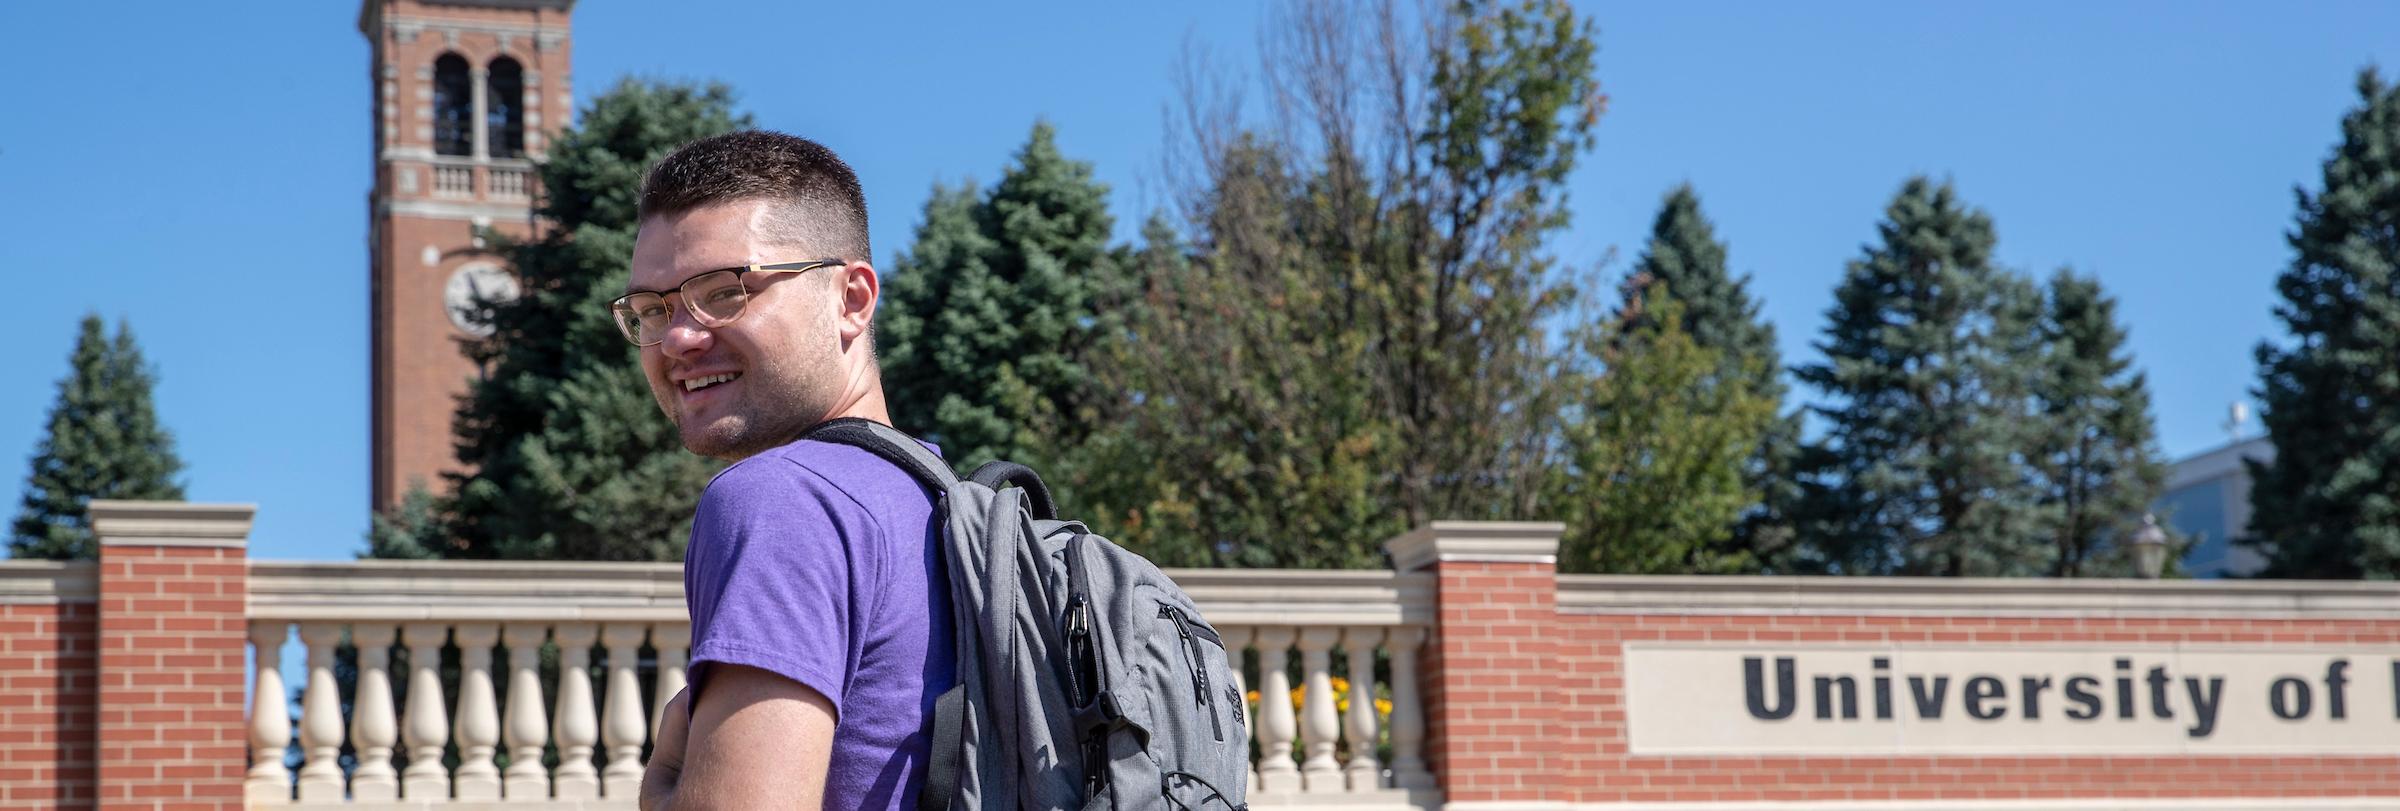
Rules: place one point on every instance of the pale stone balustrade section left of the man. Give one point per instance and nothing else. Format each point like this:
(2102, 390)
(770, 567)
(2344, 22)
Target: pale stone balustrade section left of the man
(479, 608)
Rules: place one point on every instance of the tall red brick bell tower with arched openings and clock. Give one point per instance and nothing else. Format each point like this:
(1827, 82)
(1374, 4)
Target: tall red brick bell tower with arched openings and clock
(464, 100)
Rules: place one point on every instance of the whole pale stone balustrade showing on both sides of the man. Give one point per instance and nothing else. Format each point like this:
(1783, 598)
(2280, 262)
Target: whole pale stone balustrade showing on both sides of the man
(1307, 627)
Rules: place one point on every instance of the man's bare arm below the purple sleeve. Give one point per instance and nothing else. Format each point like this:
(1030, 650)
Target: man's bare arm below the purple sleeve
(757, 743)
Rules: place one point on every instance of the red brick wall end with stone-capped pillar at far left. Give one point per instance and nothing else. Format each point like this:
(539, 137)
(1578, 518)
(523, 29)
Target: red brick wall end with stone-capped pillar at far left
(124, 680)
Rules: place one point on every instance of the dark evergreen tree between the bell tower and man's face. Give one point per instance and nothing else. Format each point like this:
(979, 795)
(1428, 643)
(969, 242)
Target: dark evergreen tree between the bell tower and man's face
(568, 450)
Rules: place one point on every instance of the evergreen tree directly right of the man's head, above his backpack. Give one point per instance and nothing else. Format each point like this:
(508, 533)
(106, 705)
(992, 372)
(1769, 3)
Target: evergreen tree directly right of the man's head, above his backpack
(992, 316)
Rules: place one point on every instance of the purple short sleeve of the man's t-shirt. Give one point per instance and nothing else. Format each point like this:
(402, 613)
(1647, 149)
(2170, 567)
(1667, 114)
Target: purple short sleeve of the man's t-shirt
(772, 577)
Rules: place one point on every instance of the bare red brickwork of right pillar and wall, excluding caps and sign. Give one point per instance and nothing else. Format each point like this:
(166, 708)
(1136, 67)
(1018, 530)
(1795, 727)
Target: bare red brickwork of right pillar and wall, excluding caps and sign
(1496, 731)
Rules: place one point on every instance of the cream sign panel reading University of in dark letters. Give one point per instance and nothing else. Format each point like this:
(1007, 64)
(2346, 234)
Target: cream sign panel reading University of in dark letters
(2010, 699)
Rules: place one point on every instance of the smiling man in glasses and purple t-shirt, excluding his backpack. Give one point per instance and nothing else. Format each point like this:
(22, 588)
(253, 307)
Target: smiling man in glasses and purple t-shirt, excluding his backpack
(820, 620)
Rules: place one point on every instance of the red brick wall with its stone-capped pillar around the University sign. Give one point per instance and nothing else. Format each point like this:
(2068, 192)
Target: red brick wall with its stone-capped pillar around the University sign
(1528, 680)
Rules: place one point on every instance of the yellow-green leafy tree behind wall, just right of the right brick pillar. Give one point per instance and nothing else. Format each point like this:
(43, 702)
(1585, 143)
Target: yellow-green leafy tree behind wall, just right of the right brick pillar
(1652, 476)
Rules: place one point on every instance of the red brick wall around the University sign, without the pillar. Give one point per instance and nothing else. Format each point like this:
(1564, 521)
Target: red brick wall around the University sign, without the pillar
(1597, 764)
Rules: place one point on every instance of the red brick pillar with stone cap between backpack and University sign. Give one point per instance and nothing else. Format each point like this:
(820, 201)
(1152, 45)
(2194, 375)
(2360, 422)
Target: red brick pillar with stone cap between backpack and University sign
(1492, 690)
